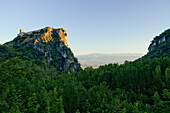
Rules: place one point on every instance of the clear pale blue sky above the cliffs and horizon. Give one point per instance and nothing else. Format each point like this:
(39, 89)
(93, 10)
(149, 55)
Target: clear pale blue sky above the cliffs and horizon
(93, 26)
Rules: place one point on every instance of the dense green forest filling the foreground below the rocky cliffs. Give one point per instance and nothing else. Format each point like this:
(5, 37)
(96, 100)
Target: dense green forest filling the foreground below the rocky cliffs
(139, 86)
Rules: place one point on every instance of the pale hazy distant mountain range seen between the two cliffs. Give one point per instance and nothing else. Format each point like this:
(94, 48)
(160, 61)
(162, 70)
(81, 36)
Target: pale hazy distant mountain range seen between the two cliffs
(97, 59)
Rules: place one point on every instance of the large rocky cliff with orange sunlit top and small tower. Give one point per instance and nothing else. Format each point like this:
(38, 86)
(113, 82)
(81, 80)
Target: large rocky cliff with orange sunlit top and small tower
(47, 43)
